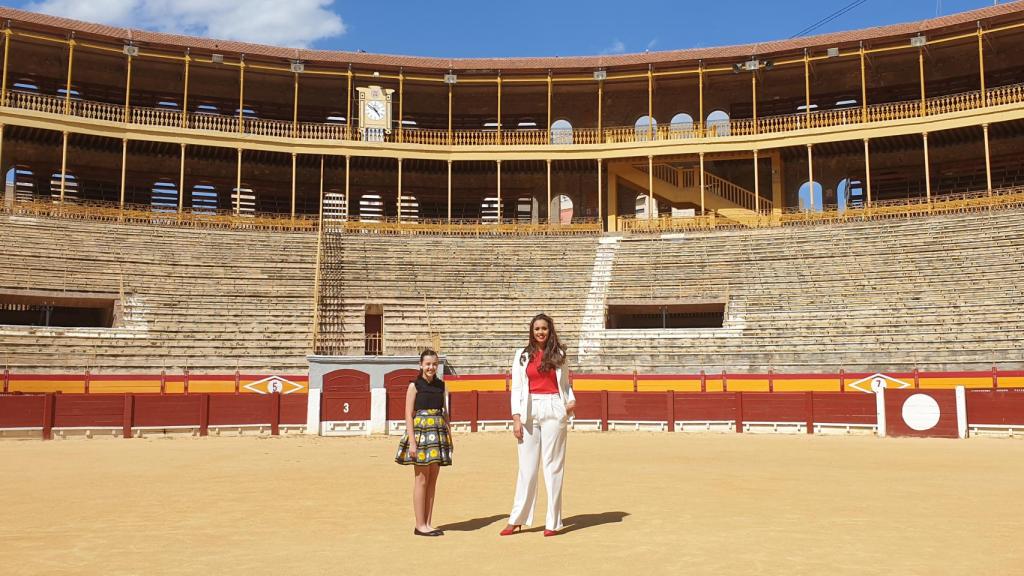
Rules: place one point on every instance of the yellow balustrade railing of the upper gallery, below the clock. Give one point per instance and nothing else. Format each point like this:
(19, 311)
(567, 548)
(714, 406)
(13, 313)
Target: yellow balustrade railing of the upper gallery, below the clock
(879, 113)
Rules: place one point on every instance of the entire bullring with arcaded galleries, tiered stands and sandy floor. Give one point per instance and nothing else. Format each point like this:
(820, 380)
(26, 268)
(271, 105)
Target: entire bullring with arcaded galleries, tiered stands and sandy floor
(790, 278)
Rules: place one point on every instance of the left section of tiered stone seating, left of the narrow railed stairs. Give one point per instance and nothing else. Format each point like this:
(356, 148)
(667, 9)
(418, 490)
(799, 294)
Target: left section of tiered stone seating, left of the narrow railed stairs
(210, 301)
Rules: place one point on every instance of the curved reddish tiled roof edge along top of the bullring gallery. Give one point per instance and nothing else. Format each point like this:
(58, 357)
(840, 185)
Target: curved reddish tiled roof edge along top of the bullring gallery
(1000, 13)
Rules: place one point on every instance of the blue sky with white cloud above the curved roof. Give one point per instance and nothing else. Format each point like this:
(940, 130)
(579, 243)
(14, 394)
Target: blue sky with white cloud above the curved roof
(468, 29)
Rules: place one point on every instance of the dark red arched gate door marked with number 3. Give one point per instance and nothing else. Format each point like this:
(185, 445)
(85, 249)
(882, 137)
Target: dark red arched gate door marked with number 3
(346, 403)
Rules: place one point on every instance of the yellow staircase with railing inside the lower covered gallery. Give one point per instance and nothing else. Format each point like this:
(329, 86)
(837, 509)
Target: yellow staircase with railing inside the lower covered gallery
(682, 186)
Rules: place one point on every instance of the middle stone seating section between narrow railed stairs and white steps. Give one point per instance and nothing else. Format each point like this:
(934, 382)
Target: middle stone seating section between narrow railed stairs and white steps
(476, 295)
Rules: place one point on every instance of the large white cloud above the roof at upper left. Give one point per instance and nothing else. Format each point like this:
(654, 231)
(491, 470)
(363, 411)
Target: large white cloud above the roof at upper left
(294, 23)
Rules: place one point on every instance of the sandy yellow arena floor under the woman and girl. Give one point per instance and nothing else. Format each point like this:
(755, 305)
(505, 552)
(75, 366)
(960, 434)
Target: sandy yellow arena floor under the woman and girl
(634, 504)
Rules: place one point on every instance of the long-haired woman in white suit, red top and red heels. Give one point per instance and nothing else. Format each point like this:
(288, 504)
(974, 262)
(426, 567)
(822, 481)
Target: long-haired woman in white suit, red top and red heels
(542, 404)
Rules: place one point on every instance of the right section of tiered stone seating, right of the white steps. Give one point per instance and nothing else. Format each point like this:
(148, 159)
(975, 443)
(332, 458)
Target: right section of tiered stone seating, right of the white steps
(940, 294)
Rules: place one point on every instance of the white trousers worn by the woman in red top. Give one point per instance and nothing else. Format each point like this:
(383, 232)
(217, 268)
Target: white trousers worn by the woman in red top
(543, 439)
